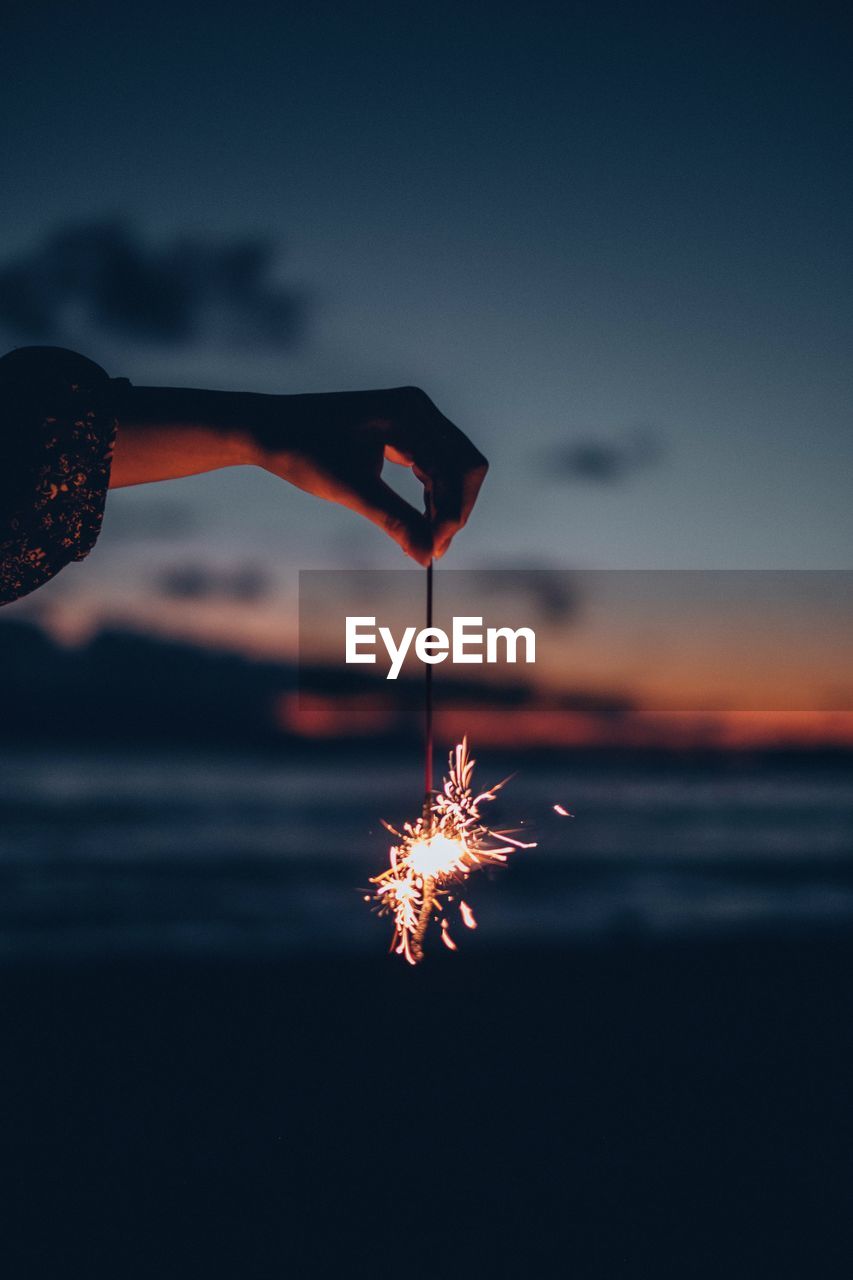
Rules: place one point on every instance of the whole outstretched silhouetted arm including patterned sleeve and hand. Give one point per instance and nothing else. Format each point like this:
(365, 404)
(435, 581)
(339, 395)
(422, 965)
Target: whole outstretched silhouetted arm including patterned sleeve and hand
(69, 432)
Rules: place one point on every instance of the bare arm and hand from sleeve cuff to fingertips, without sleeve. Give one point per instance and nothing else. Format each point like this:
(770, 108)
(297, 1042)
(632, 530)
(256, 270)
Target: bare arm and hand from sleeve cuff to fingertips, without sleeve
(332, 446)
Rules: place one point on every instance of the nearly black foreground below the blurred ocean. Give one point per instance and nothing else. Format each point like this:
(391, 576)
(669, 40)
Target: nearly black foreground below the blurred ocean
(672, 1112)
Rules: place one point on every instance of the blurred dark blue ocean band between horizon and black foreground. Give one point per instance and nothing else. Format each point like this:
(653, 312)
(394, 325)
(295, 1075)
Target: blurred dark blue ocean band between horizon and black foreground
(110, 853)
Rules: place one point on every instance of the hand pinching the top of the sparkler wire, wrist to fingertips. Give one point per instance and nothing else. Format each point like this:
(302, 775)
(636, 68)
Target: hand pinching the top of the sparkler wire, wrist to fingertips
(335, 446)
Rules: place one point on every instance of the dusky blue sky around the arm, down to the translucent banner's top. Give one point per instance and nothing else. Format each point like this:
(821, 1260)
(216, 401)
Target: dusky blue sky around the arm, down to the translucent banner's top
(613, 243)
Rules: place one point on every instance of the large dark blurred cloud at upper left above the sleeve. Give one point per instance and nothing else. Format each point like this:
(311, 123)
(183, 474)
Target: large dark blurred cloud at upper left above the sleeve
(107, 277)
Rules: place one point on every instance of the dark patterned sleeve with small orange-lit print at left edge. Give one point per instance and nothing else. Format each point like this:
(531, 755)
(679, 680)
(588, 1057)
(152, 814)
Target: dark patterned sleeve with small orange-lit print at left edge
(57, 435)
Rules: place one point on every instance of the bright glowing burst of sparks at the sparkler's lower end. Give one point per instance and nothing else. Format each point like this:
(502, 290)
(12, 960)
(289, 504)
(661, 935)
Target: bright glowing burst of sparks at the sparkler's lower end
(437, 853)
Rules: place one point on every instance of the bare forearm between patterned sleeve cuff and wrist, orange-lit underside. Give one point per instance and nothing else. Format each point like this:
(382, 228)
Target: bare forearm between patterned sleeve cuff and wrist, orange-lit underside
(166, 433)
